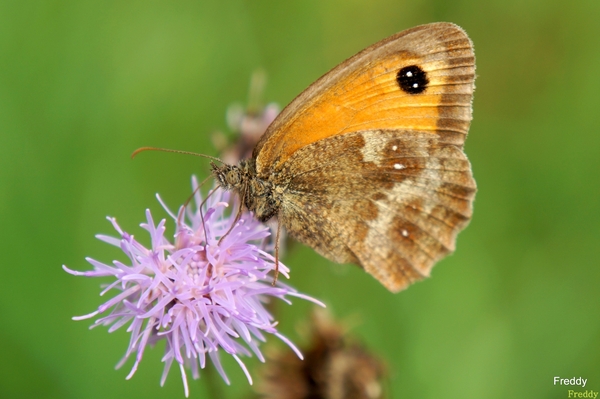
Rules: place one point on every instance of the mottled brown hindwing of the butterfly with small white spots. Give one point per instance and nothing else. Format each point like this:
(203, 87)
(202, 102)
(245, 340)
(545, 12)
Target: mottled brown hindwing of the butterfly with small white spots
(392, 201)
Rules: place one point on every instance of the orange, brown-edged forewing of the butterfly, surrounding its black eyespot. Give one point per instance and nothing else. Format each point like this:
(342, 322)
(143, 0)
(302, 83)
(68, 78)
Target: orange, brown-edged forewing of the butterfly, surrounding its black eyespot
(362, 93)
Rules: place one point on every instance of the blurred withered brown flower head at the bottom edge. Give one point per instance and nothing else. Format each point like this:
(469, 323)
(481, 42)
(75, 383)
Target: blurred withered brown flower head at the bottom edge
(337, 366)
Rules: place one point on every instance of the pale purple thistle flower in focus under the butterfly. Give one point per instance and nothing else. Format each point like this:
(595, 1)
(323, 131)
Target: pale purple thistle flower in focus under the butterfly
(200, 294)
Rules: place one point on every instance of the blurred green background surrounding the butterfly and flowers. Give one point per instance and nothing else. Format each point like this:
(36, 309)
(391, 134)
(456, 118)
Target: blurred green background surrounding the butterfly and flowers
(82, 84)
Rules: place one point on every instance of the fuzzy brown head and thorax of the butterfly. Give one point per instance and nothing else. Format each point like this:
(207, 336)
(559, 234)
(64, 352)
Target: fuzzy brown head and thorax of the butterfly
(259, 195)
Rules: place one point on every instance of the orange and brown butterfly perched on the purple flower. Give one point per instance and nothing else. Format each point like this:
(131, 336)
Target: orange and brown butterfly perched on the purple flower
(367, 165)
